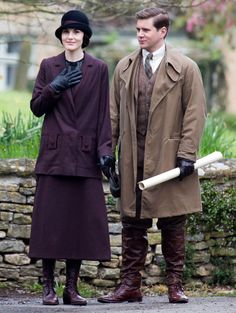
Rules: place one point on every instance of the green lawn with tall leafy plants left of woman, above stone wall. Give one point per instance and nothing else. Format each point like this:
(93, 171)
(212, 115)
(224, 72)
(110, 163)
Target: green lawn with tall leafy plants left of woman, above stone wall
(19, 128)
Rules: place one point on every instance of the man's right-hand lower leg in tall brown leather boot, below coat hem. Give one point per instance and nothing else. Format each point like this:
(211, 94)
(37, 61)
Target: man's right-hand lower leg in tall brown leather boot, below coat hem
(173, 249)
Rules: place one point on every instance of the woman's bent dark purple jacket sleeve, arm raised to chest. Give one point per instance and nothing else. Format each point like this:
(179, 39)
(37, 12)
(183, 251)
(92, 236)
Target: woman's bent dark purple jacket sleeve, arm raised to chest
(44, 96)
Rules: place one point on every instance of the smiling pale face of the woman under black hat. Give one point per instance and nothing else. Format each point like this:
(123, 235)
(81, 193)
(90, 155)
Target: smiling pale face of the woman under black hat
(72, 39)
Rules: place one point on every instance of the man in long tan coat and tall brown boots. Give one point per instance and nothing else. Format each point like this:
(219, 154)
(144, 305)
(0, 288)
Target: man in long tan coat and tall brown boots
(158, 114)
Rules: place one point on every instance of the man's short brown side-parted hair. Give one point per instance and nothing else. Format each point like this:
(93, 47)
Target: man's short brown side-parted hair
(161, 18)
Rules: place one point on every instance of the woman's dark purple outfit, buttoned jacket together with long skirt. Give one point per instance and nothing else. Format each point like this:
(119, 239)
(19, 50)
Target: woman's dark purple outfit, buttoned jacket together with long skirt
(69, 217)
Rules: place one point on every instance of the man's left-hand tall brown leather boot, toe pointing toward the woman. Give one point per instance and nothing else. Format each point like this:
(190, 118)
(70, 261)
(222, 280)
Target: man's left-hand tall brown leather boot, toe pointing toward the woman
(134, 251)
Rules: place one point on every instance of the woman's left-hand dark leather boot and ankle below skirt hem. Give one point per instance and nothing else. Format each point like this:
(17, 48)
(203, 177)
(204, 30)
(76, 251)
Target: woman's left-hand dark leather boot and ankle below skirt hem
(49, 294)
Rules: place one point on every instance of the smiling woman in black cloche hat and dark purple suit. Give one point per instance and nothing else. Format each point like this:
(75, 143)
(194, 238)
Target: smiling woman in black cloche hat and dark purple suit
(69, 217)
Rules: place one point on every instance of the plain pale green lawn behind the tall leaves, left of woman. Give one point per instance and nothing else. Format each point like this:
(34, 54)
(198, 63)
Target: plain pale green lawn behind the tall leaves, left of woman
(14, 101)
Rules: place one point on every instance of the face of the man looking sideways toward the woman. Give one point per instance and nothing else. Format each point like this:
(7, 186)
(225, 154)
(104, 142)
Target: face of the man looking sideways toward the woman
(149, 37)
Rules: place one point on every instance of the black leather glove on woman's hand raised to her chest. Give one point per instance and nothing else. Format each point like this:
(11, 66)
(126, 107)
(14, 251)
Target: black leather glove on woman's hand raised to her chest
(66, 79)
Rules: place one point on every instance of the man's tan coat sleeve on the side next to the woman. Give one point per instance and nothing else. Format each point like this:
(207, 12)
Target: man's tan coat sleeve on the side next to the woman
(115, 109)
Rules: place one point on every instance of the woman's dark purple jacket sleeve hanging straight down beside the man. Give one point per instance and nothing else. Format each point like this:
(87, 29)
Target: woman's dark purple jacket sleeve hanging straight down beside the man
(104, 122)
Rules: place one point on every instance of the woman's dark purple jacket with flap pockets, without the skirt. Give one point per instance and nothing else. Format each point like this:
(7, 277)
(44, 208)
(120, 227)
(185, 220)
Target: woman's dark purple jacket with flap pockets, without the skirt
(76, 129)
